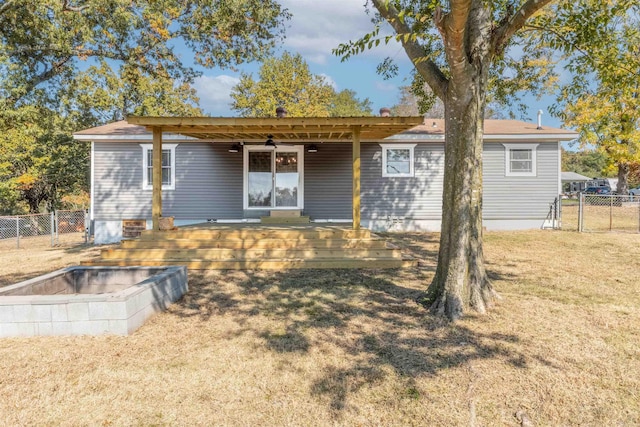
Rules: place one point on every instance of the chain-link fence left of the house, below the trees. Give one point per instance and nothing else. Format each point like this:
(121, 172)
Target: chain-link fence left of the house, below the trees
(51, 229)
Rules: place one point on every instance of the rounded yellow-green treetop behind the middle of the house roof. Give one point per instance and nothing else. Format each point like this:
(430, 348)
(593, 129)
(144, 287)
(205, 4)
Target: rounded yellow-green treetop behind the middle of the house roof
(288, 82)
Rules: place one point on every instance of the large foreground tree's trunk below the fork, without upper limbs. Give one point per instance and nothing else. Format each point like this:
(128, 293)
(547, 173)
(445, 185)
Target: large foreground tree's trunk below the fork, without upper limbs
(461, 282)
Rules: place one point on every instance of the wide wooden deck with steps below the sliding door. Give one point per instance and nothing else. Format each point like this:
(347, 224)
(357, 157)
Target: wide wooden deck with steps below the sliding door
(256, 247)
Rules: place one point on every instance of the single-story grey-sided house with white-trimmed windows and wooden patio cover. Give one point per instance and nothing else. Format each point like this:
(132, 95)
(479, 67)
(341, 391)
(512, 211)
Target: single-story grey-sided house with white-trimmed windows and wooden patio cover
(376, 172)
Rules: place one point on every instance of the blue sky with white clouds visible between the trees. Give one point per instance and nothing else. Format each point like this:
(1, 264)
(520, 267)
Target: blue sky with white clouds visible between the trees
(317, 27)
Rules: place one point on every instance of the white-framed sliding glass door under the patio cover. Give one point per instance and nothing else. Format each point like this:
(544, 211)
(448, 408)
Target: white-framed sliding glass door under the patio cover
(273, 177)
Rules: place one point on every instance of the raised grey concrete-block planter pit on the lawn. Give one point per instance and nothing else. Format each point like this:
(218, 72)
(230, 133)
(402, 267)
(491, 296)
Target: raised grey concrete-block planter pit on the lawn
(89, 300)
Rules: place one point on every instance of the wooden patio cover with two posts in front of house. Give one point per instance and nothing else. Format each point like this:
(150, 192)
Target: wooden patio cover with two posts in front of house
(281, 129)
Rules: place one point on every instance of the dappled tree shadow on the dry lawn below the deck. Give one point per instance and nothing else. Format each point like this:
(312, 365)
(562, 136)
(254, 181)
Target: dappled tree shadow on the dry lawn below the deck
(367, 314)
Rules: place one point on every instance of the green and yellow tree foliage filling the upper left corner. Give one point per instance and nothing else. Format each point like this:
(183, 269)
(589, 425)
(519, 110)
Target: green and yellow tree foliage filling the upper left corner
(71, 64)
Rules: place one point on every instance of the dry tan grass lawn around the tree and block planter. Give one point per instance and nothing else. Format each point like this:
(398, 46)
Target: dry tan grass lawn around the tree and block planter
(351, 347)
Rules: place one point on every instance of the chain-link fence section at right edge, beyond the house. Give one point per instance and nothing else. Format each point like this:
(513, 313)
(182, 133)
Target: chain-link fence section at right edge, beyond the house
(598, 213)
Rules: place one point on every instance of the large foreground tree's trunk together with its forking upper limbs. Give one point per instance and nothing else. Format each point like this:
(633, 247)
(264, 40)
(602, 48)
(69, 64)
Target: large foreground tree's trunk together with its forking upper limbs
(472, 39)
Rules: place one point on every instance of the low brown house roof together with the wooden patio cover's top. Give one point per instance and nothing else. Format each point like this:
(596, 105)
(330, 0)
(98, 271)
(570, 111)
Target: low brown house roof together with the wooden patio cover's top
(292, 129)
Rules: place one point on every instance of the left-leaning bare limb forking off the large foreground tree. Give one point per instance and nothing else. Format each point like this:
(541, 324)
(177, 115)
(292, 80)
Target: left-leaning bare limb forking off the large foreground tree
(427, 68)
